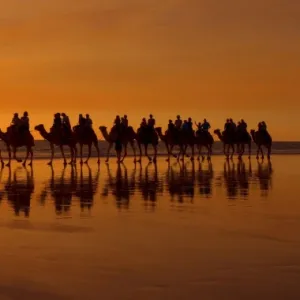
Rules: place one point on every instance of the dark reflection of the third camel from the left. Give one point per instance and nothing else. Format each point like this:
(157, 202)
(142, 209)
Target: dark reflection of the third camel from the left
(87, 188)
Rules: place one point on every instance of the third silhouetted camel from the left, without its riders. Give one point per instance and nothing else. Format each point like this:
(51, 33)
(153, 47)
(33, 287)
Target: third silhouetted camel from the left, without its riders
(88, 138)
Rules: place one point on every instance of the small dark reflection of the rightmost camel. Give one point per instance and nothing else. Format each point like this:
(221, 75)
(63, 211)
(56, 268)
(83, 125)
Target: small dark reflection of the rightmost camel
(264, 176)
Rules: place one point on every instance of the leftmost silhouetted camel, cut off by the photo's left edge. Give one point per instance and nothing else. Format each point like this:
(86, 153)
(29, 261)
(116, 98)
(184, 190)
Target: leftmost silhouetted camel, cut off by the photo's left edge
(11, 139)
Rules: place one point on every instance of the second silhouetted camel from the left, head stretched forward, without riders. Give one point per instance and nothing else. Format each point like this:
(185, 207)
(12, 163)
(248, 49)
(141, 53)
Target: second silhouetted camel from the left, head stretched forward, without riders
(56, 139)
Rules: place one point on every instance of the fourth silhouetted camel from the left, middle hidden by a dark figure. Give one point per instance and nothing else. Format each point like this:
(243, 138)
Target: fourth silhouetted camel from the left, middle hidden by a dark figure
(126, 138)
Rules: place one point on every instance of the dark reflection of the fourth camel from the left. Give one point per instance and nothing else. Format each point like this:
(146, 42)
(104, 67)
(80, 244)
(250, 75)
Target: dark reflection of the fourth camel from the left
(120, 186)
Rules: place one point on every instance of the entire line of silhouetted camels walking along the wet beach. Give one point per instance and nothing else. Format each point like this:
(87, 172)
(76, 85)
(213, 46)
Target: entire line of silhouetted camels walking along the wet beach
(233, 141)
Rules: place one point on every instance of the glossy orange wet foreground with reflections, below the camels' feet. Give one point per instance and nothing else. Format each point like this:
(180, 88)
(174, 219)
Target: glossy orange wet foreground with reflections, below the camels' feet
(224, 230)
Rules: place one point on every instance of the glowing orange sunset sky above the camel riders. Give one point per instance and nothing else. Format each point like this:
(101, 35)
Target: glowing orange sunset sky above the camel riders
(199, 58)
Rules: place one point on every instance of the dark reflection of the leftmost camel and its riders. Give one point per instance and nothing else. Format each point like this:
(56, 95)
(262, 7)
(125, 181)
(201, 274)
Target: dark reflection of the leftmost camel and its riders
(19, 189)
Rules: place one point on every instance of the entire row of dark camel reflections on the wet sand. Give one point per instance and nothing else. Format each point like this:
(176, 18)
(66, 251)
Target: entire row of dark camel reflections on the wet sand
(180, 182)
